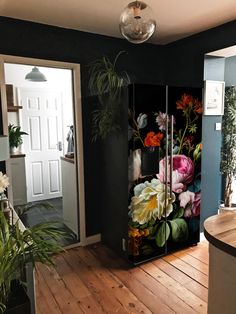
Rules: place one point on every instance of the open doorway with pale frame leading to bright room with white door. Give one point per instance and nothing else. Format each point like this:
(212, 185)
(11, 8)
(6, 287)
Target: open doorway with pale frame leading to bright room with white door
(48, 178)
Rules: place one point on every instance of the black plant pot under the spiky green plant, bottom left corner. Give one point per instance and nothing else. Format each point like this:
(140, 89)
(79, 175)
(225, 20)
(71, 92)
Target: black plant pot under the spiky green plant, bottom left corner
(19, 302)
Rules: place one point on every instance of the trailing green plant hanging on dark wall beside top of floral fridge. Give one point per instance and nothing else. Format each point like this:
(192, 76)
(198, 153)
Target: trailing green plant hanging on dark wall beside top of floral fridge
(105, 81)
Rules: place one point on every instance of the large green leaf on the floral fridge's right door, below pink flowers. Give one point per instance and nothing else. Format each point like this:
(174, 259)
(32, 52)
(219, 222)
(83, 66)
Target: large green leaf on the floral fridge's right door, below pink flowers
(179, 230)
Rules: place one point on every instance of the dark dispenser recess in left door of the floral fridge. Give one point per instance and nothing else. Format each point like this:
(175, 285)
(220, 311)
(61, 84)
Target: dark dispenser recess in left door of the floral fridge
(150, 160)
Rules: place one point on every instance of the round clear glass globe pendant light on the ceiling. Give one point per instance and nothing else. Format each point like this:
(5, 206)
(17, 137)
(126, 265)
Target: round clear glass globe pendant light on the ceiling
(137, 23)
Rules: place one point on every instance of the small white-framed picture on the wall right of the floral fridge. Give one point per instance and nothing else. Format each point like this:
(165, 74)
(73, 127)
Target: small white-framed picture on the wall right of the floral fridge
(214, 94)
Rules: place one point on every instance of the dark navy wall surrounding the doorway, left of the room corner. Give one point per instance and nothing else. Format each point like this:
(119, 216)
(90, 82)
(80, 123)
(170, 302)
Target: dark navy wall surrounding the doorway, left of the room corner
(144, 63)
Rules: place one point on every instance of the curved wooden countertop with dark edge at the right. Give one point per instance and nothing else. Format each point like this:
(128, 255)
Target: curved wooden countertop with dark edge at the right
(220, 231)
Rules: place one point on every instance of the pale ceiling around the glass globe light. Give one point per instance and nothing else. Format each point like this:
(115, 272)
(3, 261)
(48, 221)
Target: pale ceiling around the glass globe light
(175, 19)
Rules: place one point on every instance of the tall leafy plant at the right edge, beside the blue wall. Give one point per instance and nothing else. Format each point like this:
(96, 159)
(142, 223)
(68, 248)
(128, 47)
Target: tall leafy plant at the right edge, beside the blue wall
(228, 154)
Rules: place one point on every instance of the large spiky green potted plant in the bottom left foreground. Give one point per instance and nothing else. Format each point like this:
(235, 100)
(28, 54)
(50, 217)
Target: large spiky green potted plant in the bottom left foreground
(17, 248)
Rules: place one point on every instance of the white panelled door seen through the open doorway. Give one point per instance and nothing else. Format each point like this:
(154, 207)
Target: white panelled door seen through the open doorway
(42, 120)
